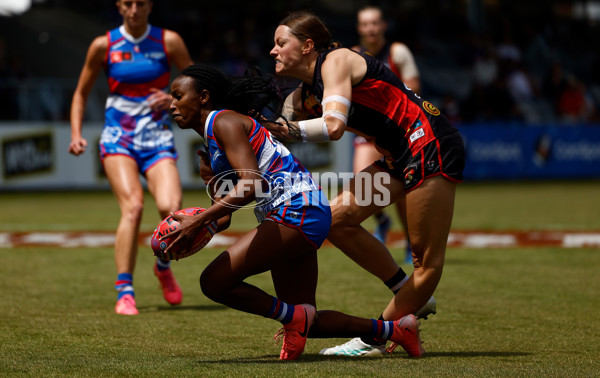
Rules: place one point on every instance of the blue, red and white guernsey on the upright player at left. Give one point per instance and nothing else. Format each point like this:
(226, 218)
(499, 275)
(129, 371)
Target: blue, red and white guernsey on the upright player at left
(134, 66)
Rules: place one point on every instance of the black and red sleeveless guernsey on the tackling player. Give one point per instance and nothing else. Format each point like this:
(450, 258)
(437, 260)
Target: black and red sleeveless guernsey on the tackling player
(383, 107)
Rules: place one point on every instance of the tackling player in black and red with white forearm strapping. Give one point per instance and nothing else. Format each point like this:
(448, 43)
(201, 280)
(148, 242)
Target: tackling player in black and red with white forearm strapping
(424, 154)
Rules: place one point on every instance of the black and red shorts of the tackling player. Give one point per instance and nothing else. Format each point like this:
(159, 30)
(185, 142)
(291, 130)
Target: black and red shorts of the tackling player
(444, 156)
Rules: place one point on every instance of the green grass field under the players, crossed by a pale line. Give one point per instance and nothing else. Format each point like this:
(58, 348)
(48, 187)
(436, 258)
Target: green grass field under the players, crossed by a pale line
(501, 312)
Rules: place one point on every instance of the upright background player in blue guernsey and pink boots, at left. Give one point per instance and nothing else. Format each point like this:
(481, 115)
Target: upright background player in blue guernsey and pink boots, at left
(137, 136)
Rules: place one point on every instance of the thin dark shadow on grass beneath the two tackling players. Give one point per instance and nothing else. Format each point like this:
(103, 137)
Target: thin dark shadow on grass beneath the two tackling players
(306, 358)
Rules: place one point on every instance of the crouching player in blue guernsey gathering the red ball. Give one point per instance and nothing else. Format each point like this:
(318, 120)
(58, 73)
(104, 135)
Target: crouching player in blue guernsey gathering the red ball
(293, 214)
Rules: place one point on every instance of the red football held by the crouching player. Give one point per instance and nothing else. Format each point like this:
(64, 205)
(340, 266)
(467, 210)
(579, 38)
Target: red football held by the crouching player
(168, 225)
